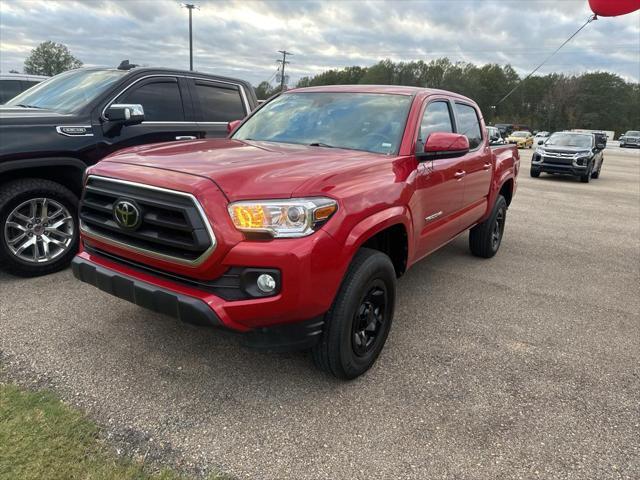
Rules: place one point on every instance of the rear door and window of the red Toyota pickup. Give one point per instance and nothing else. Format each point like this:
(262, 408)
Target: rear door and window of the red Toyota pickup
(478, 164)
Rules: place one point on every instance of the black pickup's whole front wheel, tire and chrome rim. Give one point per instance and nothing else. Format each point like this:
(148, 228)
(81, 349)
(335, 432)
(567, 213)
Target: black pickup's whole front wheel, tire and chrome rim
(38, 227)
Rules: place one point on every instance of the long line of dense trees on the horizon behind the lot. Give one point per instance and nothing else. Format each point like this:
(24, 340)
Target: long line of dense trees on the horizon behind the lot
(598, 100)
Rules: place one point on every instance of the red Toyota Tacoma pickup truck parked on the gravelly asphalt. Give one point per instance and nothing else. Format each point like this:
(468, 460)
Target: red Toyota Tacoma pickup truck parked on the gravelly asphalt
(293, 230)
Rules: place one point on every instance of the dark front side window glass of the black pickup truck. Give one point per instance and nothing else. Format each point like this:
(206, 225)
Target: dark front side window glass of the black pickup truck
(161, 100)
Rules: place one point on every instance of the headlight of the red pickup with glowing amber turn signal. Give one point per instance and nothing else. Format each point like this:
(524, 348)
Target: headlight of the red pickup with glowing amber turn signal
(287, 218)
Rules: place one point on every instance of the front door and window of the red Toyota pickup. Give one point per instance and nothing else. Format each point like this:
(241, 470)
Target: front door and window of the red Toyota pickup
(439, 184)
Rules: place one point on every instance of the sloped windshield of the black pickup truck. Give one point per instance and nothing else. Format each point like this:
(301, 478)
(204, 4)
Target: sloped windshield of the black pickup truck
(68, 91)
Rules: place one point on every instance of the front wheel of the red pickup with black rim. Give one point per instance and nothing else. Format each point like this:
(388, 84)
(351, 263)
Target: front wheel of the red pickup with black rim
(358, 323)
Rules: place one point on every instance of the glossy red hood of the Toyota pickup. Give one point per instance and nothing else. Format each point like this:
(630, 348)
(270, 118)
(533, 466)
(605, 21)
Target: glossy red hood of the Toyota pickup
(250, 169)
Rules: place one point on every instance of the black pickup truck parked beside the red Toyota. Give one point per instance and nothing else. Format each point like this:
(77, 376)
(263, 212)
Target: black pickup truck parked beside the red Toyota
(52, 132)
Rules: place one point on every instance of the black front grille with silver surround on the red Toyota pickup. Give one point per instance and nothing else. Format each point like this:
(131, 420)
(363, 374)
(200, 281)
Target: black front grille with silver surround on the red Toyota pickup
(169, 224)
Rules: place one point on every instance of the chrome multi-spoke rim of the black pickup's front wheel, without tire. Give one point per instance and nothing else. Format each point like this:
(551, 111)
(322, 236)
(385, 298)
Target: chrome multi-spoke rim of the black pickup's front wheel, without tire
(39, 230)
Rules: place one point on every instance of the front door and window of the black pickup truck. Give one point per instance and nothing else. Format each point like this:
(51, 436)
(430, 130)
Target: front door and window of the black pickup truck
(167, 112)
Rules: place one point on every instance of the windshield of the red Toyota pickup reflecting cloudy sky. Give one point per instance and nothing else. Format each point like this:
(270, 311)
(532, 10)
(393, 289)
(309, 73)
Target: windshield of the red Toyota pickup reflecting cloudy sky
(358, 121)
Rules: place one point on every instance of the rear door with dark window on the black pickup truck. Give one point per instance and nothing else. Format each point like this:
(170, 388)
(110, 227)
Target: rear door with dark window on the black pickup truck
(216, 104)
